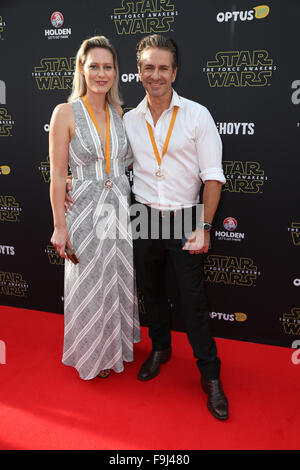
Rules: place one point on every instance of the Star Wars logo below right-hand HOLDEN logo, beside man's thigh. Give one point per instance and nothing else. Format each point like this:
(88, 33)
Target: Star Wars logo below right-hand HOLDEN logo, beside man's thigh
(230, 270)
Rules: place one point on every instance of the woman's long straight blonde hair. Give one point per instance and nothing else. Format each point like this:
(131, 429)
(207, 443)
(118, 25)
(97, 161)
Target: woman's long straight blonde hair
(79, 85)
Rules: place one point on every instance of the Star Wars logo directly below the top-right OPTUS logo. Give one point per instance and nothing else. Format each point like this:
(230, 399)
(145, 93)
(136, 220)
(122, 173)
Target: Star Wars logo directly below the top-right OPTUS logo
(240, 69)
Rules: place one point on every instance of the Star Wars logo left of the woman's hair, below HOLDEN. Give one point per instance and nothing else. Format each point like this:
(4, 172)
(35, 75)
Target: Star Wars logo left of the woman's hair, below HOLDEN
(54, 73)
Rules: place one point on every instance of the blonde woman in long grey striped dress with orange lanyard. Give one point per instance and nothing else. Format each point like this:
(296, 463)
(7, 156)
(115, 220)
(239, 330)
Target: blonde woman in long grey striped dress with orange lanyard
(101, 310)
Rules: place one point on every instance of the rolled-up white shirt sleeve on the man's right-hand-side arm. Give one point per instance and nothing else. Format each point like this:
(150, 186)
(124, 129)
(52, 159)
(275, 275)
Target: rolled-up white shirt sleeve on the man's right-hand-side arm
(209, 148)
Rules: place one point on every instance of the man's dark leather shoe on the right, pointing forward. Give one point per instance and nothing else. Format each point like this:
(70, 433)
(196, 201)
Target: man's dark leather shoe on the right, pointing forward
(217, 402)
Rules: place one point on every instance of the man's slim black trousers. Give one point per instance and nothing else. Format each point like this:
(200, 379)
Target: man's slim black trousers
(151, 258)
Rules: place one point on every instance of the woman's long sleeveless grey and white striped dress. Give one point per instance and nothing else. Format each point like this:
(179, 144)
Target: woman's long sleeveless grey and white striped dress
(100, 303)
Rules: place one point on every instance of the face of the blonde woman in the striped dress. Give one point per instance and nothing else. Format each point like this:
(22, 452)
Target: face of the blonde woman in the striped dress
(99, 70)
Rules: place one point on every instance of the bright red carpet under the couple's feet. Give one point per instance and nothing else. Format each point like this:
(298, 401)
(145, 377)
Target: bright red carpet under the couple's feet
(44, 405)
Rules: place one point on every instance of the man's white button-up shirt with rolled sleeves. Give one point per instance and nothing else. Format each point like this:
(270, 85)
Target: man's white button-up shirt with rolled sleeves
(194, 153)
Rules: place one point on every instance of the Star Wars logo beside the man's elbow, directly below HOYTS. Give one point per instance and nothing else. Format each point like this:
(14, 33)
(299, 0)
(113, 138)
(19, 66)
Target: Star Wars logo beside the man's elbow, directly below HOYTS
(243, 177)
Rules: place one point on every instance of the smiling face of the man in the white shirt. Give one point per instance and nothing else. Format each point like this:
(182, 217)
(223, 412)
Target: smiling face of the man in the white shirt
(156, 71)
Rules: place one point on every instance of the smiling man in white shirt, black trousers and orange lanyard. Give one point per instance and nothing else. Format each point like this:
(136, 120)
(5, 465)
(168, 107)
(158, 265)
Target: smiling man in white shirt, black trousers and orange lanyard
(176, 147)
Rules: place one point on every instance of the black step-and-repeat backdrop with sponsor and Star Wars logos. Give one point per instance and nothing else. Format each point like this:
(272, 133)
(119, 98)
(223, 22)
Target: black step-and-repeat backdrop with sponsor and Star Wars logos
(239, 59)
